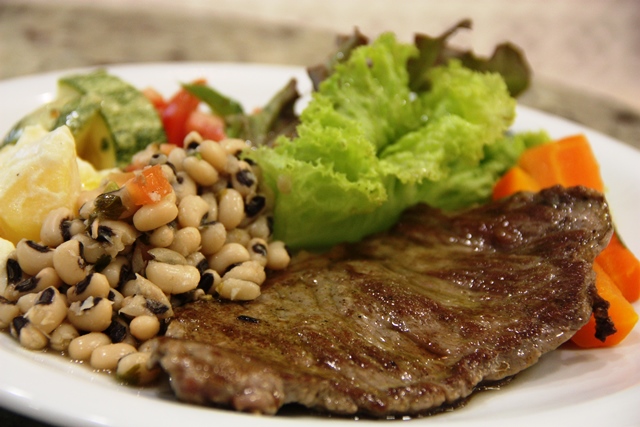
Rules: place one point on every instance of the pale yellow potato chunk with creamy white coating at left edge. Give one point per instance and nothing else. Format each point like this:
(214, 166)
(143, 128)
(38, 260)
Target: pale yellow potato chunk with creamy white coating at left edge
(38, 174)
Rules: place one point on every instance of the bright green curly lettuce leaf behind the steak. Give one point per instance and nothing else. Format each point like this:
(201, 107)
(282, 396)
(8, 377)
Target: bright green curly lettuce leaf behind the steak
(368, 146)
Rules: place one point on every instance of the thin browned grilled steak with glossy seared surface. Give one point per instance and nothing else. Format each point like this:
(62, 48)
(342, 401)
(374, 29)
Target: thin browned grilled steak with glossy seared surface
(405, 321)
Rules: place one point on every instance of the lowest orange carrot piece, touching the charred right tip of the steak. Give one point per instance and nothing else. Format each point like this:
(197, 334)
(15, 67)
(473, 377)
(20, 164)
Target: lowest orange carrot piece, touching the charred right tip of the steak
(621, 313)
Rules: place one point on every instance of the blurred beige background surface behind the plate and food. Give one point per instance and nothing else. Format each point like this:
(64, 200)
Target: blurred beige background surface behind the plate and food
(585, 54)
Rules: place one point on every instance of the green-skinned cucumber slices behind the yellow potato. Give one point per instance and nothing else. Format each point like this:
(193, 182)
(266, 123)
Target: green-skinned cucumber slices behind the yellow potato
(110, 119)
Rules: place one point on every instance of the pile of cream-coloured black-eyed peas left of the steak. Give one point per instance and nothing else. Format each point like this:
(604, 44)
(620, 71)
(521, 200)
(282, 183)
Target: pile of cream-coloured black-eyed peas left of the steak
(104, 280)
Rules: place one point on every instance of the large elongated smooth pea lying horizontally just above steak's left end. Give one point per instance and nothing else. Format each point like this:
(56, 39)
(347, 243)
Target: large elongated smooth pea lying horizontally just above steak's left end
(173, 278)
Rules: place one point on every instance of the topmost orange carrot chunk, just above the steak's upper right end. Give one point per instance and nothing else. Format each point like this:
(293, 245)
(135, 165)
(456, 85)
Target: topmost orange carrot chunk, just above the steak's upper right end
(568, 161)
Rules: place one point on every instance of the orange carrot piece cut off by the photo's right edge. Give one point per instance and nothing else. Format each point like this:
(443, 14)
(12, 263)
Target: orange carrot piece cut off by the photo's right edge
(623, 268)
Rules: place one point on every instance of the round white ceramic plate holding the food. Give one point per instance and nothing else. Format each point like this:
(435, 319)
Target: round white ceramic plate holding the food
(568, 387)
